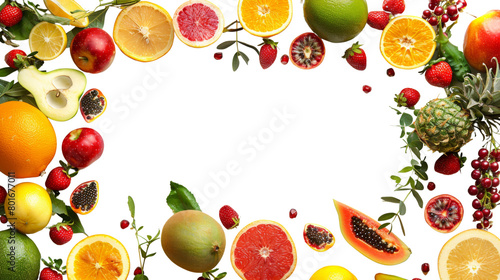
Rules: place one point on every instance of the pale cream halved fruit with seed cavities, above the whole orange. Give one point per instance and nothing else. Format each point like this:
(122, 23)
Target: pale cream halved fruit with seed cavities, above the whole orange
(57, 93)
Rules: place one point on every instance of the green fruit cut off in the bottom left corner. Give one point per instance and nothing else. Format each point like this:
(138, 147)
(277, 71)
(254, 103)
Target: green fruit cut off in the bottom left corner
(19, 256)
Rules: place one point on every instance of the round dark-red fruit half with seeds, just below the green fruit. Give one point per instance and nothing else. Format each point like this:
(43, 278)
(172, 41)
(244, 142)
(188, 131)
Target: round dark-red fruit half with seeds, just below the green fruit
(307, 51)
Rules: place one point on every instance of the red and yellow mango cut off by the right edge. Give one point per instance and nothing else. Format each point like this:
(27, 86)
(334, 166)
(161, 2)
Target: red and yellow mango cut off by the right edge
(482, 41)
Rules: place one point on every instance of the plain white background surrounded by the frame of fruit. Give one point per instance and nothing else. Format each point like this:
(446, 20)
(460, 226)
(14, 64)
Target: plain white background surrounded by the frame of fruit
(186, 116)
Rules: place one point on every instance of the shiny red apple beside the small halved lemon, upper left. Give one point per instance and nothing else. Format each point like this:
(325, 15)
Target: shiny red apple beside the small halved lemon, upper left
(92, 50)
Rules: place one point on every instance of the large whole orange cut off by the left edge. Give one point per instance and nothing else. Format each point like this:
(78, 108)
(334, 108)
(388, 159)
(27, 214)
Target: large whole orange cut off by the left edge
(27, 140)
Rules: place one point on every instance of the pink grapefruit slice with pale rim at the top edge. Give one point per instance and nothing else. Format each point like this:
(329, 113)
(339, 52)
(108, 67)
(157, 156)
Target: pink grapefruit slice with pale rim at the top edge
(198, 23)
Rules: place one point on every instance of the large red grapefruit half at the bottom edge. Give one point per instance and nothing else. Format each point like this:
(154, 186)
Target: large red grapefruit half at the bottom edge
(263, 250)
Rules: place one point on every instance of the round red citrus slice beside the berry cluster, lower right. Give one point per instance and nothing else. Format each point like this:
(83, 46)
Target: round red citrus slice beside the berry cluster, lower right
(444, 213)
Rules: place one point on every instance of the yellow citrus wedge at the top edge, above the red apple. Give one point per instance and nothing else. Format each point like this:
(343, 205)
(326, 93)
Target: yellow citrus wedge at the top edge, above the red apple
(67, 9)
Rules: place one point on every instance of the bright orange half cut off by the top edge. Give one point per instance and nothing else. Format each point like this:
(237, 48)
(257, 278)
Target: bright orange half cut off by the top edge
(264, 18)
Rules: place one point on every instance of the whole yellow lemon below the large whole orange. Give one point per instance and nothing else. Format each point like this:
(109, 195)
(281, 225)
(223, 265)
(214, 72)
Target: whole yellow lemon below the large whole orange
(28, 207)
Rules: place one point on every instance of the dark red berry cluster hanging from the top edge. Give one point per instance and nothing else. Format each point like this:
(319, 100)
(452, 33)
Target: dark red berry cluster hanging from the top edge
(443, 11)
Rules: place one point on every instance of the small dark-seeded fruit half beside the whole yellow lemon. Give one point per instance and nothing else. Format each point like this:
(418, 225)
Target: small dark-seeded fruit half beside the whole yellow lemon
(84, 198)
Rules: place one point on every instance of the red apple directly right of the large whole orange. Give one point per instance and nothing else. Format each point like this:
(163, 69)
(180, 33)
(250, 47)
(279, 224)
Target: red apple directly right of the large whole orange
(82, 146)
